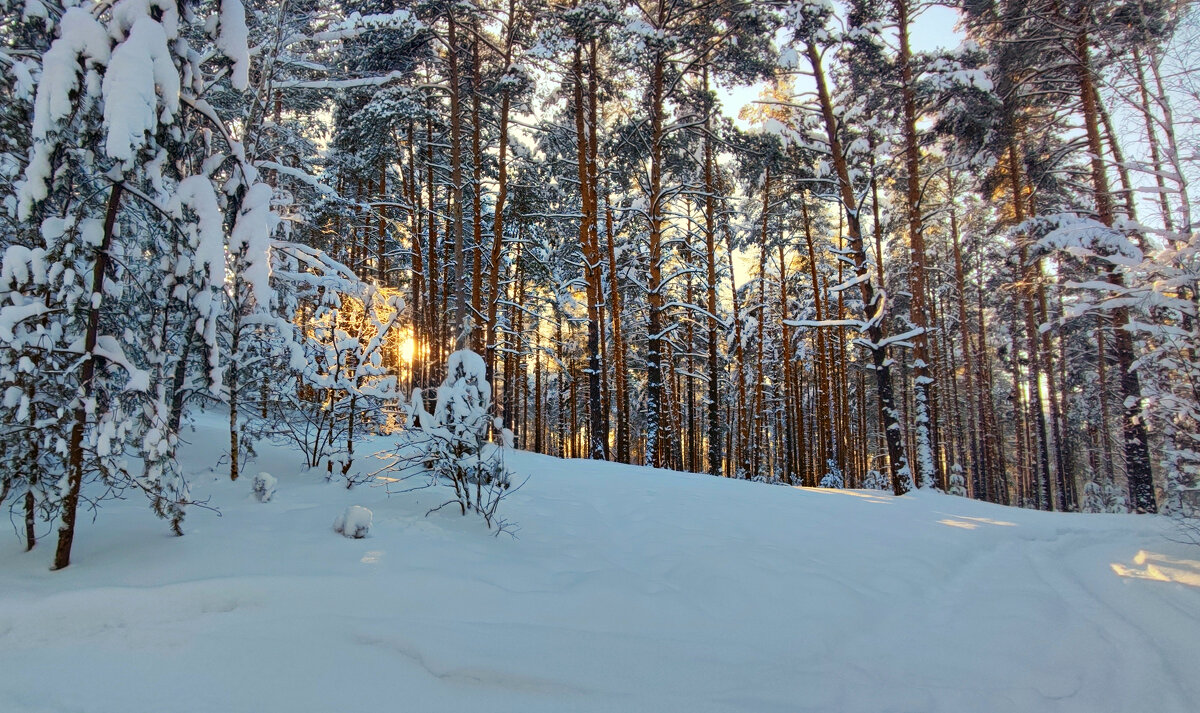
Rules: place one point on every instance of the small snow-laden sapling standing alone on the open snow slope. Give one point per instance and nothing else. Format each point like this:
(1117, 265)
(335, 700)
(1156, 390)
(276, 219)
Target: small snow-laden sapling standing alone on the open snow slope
(452, 446)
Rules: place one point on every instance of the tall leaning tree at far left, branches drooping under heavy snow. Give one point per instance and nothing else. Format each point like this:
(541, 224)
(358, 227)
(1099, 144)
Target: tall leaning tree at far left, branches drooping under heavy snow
(106, 115)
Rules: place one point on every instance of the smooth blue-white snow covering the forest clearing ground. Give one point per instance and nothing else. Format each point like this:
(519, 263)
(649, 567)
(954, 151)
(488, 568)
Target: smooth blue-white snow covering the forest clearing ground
(626, 590)
